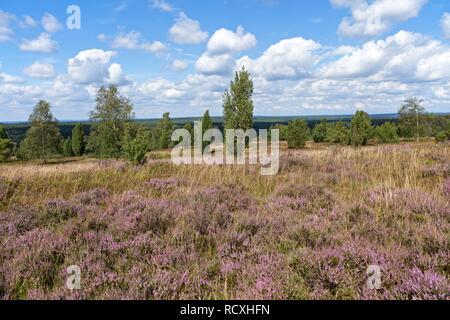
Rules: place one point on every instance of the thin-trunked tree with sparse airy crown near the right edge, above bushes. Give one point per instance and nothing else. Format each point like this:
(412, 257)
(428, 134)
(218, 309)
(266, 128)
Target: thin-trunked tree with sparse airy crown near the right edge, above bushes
(412, 115)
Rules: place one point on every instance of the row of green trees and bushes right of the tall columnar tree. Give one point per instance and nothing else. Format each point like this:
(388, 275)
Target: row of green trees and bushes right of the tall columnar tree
(414, 123)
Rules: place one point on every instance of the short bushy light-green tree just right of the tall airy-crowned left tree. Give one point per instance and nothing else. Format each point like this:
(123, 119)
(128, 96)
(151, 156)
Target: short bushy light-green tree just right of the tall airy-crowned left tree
(137, 143)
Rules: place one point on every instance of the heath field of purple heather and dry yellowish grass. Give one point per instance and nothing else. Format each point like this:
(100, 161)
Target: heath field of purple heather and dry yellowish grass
(162, 231)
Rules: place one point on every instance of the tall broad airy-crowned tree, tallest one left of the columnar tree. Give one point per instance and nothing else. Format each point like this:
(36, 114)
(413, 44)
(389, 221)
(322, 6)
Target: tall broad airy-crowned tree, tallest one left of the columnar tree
(112, 112)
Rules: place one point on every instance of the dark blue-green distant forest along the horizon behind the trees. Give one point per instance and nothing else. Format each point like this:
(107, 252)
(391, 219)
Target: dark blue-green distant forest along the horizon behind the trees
(17, 131)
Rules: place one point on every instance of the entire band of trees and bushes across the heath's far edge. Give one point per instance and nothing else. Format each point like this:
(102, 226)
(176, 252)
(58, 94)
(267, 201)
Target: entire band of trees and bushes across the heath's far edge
(115, 134)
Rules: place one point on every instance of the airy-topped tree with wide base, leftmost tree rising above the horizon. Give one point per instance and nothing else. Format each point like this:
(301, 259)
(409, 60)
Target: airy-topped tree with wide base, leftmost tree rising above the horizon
(43, 139)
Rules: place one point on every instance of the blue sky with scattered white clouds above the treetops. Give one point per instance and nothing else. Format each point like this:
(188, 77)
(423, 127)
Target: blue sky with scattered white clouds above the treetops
(321, 57)
